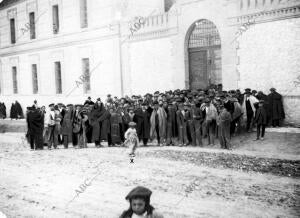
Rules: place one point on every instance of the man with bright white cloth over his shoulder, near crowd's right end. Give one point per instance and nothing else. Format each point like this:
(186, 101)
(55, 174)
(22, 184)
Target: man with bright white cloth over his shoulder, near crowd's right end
(249, 108)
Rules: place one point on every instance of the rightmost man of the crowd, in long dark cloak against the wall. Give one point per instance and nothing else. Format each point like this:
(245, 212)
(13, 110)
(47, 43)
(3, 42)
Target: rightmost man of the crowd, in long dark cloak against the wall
(276, 110)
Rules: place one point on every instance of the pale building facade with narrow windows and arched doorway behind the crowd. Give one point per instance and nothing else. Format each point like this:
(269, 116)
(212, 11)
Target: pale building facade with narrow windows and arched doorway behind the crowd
(138, 46)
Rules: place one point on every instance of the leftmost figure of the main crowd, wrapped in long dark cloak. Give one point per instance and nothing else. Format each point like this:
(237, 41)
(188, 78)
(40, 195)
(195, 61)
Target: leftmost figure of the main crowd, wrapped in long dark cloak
(35, 122)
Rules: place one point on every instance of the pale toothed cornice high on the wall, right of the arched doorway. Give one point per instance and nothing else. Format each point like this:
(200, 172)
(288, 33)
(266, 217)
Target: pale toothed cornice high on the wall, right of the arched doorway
(267, 15)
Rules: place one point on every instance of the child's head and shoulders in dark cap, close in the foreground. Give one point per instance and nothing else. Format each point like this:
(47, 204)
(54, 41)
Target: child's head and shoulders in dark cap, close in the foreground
(139, 200)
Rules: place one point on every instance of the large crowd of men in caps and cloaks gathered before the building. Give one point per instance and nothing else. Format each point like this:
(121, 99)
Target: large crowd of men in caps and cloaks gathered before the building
(171, 118)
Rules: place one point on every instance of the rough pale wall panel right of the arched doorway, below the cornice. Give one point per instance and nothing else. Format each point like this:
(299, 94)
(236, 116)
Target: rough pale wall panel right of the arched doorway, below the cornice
(269, 56)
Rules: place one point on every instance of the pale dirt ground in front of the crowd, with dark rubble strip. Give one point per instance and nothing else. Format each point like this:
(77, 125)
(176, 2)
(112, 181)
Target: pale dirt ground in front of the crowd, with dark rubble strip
(255, 179)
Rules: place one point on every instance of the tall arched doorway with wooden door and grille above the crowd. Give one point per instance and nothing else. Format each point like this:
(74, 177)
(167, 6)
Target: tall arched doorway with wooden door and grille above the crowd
(203, 55)
